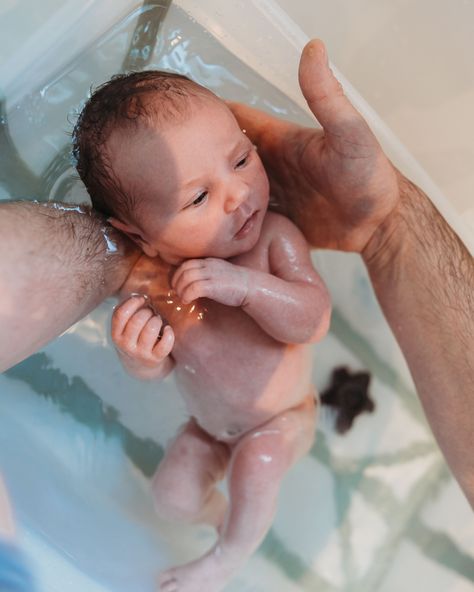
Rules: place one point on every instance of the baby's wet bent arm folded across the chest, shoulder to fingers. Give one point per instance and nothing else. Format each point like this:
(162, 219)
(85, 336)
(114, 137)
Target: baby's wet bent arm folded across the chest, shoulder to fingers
(291, 303)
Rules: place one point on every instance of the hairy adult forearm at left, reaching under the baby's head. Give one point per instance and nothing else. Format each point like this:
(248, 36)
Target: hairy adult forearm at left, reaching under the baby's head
(57, 263)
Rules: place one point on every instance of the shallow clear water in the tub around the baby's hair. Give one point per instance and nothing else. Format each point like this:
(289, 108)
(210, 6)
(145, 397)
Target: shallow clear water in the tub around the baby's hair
(35, 134)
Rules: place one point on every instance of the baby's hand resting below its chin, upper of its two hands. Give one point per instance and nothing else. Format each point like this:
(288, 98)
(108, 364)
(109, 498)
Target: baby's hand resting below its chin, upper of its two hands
(212, 278)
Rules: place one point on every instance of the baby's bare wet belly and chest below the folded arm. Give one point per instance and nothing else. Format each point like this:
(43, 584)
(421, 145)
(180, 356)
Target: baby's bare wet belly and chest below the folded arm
(234, 377)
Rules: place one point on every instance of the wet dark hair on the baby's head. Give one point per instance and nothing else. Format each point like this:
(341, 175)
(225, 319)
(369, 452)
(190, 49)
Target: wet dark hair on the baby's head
(124, 103)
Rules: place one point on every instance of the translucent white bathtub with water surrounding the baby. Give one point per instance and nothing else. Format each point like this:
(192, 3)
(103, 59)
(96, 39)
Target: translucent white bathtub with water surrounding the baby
(79, 439)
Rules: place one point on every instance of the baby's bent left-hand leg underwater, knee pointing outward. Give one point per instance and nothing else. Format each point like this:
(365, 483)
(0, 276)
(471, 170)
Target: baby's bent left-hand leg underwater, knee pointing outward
(184, 484)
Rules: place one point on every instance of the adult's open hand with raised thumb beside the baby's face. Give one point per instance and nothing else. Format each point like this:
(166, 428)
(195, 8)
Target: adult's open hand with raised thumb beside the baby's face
(336, 184)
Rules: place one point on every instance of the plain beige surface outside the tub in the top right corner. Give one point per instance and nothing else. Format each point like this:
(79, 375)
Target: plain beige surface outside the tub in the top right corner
(412, 61)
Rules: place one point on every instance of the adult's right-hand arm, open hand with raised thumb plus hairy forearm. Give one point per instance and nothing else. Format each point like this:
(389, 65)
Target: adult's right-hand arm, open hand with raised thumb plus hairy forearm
(343, 192)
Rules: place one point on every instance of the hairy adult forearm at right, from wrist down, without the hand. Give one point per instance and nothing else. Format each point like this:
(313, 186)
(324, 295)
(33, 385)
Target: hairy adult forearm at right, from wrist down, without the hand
(424, 280)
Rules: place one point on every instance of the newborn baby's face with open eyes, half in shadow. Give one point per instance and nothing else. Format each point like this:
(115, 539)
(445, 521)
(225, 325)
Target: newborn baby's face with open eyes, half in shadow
(203, 189)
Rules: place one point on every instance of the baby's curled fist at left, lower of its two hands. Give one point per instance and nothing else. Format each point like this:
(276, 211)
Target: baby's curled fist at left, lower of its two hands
(136, 331)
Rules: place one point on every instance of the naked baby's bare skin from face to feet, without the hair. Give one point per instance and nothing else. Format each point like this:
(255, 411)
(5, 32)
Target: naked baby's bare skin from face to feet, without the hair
(242, 302)
